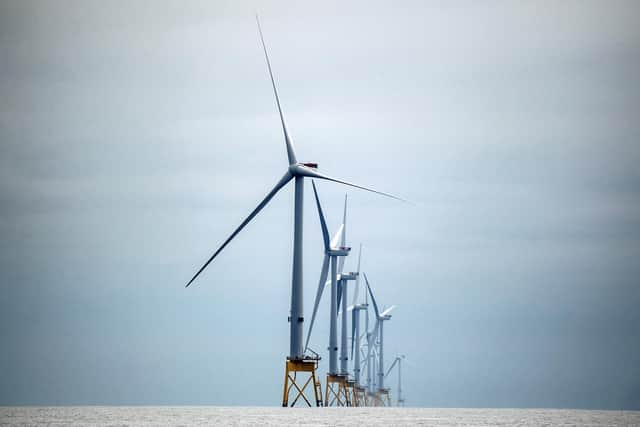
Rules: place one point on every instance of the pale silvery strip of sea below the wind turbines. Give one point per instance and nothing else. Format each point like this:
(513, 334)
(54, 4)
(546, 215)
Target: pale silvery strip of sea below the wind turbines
(240, 416)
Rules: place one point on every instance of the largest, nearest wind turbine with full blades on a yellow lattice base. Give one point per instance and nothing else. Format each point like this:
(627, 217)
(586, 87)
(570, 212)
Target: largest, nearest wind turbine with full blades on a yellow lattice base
(295, 171)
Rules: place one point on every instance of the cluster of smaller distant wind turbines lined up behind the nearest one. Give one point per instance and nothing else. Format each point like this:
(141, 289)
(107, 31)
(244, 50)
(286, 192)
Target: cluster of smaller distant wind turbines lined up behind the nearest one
(344, 387)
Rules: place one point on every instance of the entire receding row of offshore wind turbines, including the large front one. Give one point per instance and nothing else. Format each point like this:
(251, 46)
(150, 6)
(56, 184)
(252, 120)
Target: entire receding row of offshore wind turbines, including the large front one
(343, 387)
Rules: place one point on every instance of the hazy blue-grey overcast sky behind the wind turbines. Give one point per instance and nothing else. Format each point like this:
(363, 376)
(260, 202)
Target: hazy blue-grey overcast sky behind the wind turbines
(135, 137)
